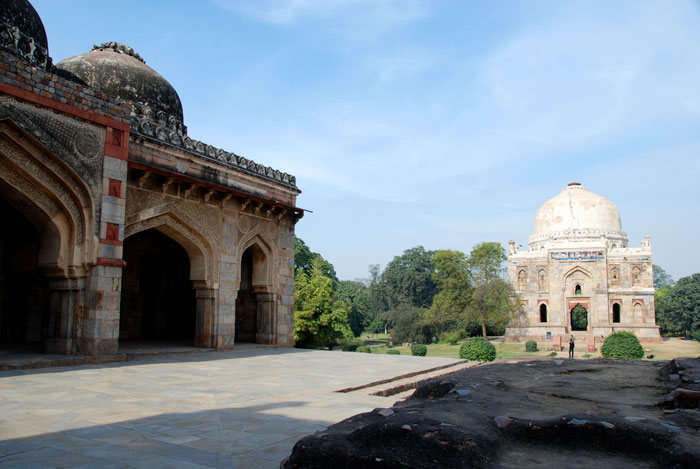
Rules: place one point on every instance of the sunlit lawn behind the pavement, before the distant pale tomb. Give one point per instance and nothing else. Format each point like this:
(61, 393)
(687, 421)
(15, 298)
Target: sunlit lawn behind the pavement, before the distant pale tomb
(670, 348)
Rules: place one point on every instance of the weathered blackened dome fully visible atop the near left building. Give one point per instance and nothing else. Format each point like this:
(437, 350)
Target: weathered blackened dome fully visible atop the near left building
(115, 69)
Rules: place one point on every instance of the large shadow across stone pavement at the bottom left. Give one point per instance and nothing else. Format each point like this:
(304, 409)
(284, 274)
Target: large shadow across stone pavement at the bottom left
(252, 436)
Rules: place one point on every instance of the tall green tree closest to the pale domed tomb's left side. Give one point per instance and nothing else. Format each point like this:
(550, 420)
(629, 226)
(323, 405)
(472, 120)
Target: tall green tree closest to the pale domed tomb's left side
(491, 298)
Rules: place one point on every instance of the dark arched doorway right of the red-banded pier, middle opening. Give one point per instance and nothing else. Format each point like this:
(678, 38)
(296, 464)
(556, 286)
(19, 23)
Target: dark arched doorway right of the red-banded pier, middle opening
(157, 299)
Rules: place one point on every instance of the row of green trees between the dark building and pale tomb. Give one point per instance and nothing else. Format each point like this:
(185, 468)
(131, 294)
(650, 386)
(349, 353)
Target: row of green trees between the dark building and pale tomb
(420, 296)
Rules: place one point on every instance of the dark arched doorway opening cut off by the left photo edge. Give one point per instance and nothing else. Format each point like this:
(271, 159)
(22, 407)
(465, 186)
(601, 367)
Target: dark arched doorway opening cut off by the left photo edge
(24, 291)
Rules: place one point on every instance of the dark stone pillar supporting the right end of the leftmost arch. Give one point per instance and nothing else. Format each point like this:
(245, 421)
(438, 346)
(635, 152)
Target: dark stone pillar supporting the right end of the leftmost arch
(63, 314)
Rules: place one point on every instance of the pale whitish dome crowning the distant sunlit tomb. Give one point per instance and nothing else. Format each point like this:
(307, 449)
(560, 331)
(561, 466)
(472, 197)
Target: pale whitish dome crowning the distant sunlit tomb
(577, 213)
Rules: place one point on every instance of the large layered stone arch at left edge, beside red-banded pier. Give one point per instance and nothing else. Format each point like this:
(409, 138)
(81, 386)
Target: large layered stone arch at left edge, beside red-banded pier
(53, 197)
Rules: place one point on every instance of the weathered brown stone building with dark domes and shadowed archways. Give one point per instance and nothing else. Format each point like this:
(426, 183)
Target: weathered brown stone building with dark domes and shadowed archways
(116, 224)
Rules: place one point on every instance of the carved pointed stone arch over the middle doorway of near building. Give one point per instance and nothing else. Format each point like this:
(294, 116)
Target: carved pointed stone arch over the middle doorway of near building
(199, 251)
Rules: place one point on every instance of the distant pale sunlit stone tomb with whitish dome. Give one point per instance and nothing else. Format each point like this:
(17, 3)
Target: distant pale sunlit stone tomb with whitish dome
(579, 276)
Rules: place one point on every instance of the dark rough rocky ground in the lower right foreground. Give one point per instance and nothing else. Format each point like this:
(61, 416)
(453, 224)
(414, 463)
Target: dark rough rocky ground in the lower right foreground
(569, 413)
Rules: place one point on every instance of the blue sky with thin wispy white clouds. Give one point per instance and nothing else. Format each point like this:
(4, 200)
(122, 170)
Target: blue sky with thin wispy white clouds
(434, 123)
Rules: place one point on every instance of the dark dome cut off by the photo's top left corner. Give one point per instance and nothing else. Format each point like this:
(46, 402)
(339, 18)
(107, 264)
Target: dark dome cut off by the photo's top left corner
(22, 33)
